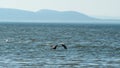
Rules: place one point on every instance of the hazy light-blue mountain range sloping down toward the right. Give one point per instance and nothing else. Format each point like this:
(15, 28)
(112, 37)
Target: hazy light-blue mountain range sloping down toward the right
(43, 16)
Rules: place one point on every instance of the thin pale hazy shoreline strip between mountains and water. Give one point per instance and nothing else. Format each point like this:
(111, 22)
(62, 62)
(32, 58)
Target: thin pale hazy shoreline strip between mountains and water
(72, 22)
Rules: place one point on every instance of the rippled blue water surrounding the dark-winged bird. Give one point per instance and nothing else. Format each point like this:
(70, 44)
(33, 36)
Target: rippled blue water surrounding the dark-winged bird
(89, 45)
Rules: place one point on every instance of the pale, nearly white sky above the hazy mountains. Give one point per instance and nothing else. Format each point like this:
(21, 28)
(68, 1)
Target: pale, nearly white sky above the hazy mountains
(106, 9)
